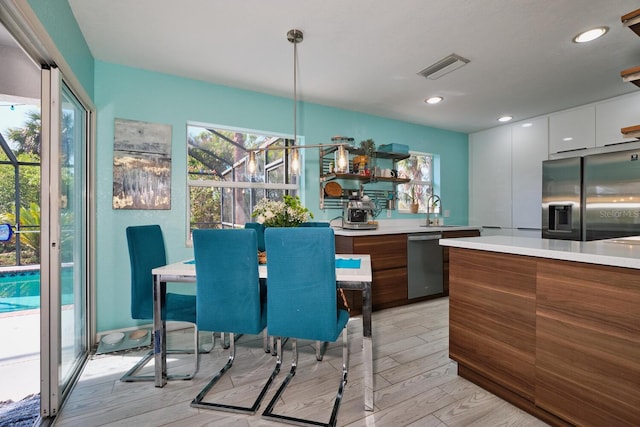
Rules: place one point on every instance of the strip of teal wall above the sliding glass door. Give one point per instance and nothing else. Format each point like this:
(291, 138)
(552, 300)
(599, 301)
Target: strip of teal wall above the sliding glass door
(58, 19)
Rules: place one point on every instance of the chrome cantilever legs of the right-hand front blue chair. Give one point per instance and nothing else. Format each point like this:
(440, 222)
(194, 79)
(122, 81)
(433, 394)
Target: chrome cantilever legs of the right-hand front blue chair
(268, 412)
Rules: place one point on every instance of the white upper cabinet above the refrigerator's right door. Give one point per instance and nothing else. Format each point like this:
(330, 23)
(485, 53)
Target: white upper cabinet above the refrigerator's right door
(615, 114)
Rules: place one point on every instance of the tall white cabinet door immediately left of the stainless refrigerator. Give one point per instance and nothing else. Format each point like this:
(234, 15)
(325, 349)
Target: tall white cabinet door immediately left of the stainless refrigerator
(529, 148)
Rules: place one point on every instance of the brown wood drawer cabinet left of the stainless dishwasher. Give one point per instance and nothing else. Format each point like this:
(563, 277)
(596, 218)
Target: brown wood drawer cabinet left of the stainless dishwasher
(388, 264)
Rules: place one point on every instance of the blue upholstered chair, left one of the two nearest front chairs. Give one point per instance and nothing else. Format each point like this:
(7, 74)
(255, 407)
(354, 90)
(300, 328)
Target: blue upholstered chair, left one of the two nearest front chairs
(229, 296)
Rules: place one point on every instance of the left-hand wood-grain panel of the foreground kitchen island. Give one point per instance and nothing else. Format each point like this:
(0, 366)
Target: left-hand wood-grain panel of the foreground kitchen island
(492, 326)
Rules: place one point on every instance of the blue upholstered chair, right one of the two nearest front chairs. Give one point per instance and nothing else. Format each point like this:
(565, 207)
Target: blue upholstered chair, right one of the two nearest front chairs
(302, 300)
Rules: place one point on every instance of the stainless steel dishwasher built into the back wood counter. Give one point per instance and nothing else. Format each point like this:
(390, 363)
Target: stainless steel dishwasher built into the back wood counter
(424, 264)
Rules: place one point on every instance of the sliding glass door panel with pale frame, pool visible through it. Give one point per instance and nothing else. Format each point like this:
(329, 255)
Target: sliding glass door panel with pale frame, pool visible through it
(64, 279)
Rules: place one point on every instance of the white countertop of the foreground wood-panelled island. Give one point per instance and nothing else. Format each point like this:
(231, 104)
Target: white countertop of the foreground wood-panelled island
(621, 252)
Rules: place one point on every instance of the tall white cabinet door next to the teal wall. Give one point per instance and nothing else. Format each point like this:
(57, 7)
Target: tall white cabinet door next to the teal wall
(490, 178)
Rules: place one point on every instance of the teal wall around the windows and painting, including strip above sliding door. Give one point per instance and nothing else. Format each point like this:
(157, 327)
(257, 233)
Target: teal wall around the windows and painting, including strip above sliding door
(128, 93)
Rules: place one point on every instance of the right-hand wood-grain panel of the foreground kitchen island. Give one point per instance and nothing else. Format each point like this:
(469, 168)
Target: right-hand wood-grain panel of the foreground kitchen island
(588, 343)
